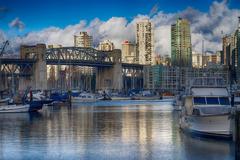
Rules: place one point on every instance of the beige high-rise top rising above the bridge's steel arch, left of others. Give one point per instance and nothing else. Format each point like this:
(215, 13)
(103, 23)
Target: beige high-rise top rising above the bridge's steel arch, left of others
(83, 40)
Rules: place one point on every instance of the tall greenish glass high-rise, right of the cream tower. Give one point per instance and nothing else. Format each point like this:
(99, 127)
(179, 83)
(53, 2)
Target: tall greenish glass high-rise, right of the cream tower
(181, 47)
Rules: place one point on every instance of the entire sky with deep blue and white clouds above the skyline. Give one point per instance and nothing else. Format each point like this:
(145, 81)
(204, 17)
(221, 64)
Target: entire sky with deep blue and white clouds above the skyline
(55, 21)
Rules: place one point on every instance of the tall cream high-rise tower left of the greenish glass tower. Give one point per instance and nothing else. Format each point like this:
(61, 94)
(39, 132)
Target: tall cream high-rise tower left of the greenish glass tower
(144, 42)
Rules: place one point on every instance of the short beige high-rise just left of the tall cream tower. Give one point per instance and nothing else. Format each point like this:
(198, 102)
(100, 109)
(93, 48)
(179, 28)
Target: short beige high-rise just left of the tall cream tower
(129, 52)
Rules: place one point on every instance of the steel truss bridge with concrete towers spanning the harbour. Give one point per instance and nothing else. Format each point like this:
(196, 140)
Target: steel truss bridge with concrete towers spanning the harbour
(31, 67)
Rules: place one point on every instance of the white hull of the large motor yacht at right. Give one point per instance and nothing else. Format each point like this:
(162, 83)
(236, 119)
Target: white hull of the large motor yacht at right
(216, 125)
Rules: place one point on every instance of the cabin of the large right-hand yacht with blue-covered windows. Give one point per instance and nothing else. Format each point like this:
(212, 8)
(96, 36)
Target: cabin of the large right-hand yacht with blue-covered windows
(207, 101)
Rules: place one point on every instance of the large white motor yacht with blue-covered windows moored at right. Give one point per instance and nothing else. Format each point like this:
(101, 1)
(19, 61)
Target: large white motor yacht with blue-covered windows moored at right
(206, 108)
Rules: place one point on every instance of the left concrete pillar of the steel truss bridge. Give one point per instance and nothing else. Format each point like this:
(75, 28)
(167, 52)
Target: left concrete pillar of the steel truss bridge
(39, 78)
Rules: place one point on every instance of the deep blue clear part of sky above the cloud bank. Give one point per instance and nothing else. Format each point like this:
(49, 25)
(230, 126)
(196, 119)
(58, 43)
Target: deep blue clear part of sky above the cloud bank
(39, 14)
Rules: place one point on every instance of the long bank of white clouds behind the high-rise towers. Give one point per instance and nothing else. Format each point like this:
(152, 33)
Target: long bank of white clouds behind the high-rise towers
(204, 26)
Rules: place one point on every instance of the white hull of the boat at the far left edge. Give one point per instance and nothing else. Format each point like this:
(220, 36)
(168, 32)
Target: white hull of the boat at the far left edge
(14, 108)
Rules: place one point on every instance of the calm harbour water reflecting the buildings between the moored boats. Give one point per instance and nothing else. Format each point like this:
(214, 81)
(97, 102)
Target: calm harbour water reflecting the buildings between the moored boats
(123, 130)
